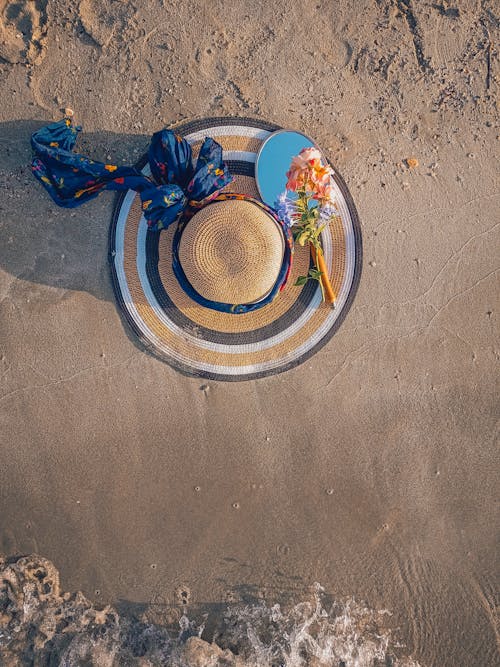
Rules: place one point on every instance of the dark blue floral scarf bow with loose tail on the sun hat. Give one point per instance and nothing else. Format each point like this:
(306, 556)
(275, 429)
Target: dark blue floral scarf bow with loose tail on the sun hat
(72, 179)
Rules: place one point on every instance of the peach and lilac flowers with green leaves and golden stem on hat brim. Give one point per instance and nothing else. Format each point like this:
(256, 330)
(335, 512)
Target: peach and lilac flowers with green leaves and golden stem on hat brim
(309, 210)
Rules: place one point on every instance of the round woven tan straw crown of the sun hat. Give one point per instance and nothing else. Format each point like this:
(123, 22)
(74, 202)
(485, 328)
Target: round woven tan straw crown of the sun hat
(232, 252)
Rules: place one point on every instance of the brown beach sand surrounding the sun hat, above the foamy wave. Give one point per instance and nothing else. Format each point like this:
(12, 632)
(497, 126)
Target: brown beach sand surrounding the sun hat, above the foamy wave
(371, 468)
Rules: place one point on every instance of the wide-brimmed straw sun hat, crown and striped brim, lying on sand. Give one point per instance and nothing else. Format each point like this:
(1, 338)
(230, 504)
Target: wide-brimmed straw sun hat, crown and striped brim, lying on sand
(234, 250)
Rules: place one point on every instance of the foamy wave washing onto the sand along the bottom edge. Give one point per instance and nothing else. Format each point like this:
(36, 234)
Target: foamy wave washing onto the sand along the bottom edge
(41, 625)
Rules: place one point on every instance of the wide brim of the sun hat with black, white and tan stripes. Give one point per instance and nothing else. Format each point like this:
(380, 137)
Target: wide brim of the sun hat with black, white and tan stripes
(225, 346)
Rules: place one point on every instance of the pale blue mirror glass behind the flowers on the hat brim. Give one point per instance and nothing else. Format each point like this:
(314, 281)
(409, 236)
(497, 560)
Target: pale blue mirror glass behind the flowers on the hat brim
(273, 161)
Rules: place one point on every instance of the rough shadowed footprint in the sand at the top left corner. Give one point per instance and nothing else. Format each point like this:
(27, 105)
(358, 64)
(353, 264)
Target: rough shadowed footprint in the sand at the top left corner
(23, 29)
